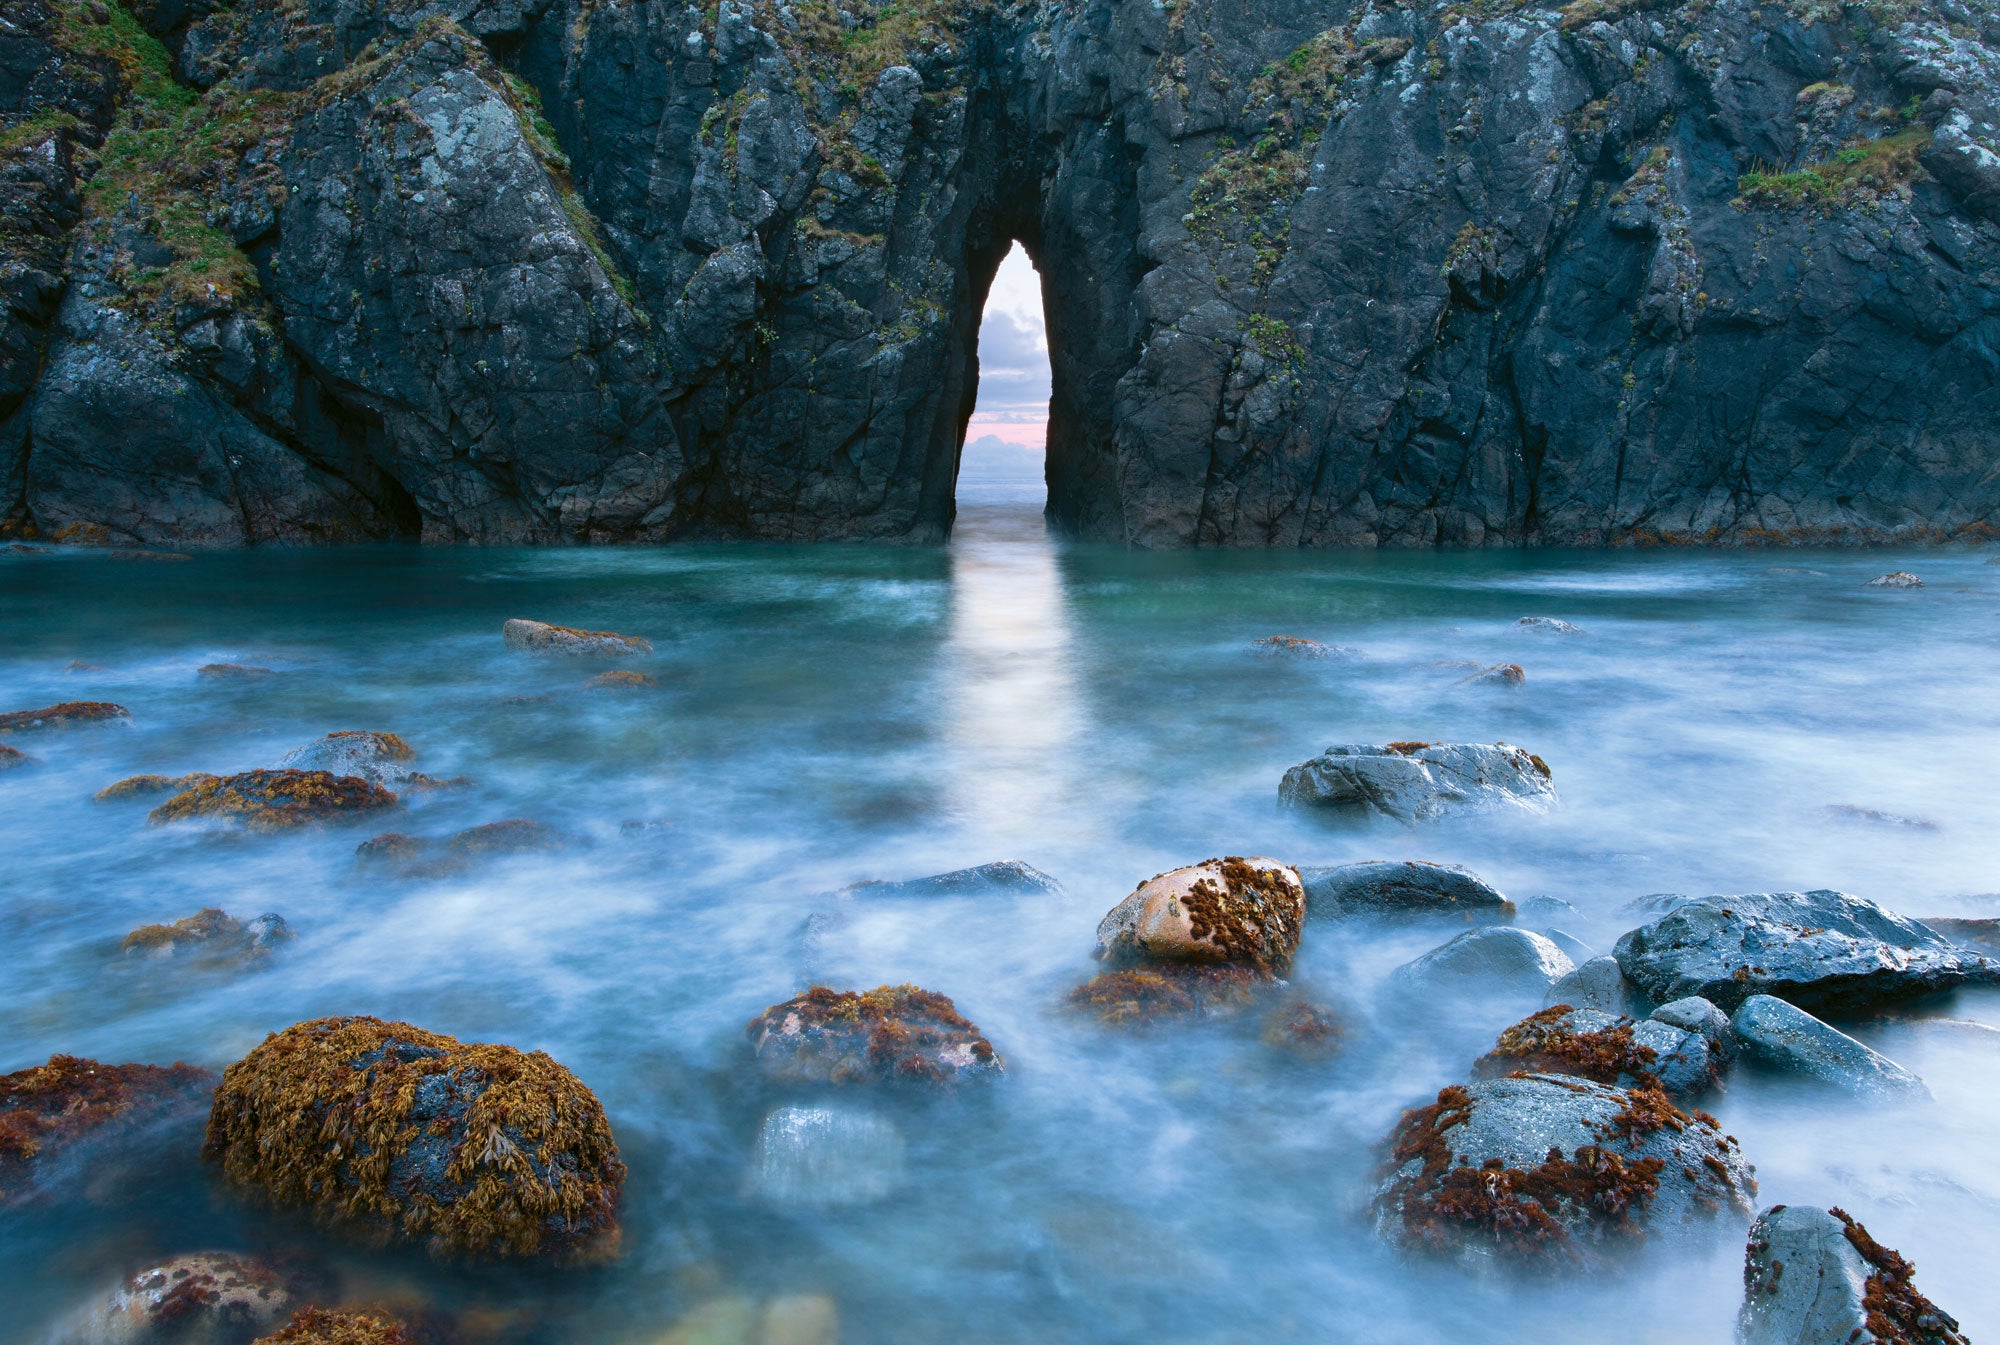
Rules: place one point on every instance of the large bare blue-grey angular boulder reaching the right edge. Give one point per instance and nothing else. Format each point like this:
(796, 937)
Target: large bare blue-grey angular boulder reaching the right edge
(1823, 952)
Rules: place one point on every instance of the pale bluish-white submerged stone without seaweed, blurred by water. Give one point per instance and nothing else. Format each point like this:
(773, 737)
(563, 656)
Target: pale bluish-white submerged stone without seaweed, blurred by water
(825, 1158)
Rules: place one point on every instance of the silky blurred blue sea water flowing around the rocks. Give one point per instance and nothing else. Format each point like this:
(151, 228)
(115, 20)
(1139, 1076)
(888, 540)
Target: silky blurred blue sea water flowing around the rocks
(829, 716)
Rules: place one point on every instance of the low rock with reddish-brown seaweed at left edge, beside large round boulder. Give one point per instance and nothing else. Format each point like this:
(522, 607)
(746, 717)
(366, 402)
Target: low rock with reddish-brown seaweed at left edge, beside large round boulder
(69, 1102)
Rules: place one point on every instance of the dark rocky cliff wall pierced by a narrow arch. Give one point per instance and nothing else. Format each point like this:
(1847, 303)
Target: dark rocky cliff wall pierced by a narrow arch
(495, 271)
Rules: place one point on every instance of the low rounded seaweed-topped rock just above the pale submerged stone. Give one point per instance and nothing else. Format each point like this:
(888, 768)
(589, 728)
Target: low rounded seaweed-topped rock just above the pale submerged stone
(889, 1034)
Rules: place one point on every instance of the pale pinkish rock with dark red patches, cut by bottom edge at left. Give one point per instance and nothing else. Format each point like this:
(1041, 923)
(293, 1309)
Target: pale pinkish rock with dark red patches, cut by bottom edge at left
(211, 1298)
